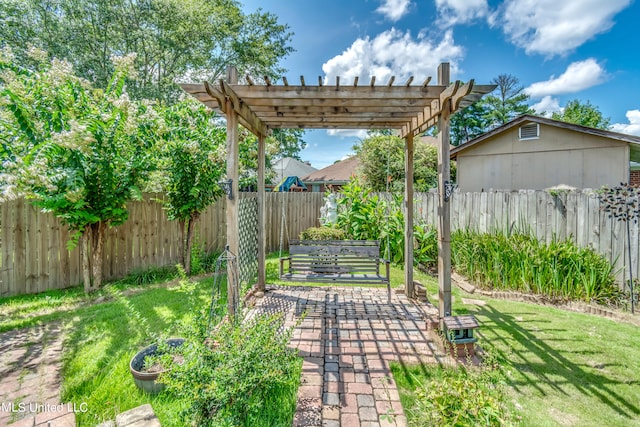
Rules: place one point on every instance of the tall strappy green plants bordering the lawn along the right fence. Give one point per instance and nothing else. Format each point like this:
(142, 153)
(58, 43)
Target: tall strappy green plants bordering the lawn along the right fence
(519, 262)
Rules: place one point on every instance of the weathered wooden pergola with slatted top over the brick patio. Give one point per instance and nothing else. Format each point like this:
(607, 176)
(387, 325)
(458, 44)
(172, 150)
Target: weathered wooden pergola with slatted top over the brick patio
(408, 108)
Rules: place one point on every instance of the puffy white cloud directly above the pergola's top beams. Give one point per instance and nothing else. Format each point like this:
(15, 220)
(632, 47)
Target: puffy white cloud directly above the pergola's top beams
(394, 53)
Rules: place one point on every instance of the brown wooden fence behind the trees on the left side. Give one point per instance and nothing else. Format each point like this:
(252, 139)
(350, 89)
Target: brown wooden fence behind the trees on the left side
(34, 256)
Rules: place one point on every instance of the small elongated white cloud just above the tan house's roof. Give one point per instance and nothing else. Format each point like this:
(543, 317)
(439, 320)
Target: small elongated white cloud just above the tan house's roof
(578, 76)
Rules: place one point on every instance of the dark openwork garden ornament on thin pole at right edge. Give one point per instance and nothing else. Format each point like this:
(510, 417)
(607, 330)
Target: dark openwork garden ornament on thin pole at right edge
(623, 204)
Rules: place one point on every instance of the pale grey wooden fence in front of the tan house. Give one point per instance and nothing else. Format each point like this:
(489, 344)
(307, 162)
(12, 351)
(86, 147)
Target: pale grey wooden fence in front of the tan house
(574, 215)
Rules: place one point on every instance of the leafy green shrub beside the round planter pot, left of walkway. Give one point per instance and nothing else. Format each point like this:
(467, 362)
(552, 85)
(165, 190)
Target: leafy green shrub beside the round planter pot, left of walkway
(244, 374)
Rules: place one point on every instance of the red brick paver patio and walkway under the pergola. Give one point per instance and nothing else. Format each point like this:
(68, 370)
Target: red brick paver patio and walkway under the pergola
(347, 338)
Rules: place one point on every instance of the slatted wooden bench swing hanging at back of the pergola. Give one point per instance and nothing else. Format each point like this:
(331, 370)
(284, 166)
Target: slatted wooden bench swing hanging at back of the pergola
(334, 261)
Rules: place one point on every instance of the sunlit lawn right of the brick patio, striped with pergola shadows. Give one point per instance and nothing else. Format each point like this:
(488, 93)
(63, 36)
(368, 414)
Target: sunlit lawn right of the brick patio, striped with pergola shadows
(561, 367)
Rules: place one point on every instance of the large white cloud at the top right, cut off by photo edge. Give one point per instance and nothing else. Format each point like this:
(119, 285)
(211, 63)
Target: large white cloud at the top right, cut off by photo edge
(552, 27)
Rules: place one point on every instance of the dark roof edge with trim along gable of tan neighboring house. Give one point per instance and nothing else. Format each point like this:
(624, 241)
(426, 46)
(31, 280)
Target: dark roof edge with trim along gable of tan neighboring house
(633, 140)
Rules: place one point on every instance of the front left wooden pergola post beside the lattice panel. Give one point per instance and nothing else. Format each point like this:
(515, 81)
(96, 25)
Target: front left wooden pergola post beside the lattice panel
(233, 237)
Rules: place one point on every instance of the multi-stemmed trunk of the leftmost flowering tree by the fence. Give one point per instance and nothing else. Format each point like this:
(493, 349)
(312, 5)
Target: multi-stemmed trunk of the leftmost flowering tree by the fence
(92, 244)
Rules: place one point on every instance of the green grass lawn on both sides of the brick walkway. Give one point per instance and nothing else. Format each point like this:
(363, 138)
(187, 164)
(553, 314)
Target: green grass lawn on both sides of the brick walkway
(561, 368)
